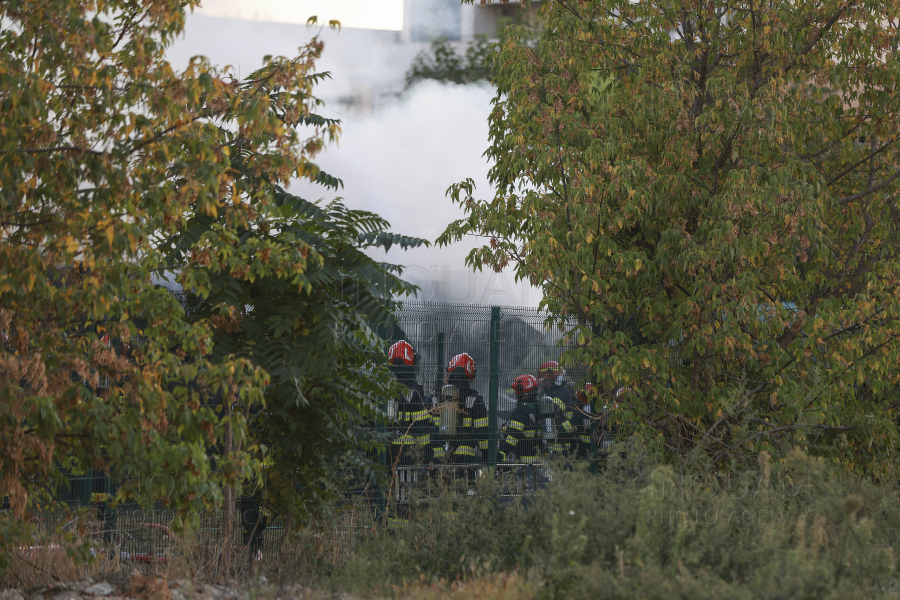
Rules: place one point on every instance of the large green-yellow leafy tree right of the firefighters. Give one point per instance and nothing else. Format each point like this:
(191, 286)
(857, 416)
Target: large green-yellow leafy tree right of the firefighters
(723, 177)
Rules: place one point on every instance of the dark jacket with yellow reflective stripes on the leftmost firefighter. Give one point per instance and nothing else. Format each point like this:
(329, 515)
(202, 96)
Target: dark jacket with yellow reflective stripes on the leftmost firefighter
(412, 429)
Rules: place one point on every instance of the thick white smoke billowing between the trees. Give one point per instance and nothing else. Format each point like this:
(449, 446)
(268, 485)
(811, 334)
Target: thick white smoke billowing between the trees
(397, 159)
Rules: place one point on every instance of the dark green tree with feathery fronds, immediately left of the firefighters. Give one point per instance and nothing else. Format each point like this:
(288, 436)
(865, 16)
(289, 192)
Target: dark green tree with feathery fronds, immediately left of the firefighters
(326, 366)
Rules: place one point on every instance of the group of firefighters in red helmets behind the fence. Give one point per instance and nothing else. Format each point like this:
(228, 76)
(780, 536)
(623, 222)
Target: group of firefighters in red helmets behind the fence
(451, 425)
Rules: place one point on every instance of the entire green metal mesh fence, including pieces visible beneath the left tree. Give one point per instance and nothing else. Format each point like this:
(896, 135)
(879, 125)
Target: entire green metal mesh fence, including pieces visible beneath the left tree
(503, 341)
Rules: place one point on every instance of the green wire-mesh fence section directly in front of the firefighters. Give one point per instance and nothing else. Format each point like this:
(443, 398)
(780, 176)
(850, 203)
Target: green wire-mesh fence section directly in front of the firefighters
(504, 342)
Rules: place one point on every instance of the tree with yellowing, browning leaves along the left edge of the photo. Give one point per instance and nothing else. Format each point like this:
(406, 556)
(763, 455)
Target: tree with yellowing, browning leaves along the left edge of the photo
(107, 153)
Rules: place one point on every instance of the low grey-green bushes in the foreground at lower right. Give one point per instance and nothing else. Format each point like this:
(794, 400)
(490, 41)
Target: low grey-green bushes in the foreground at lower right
(793, 527)
